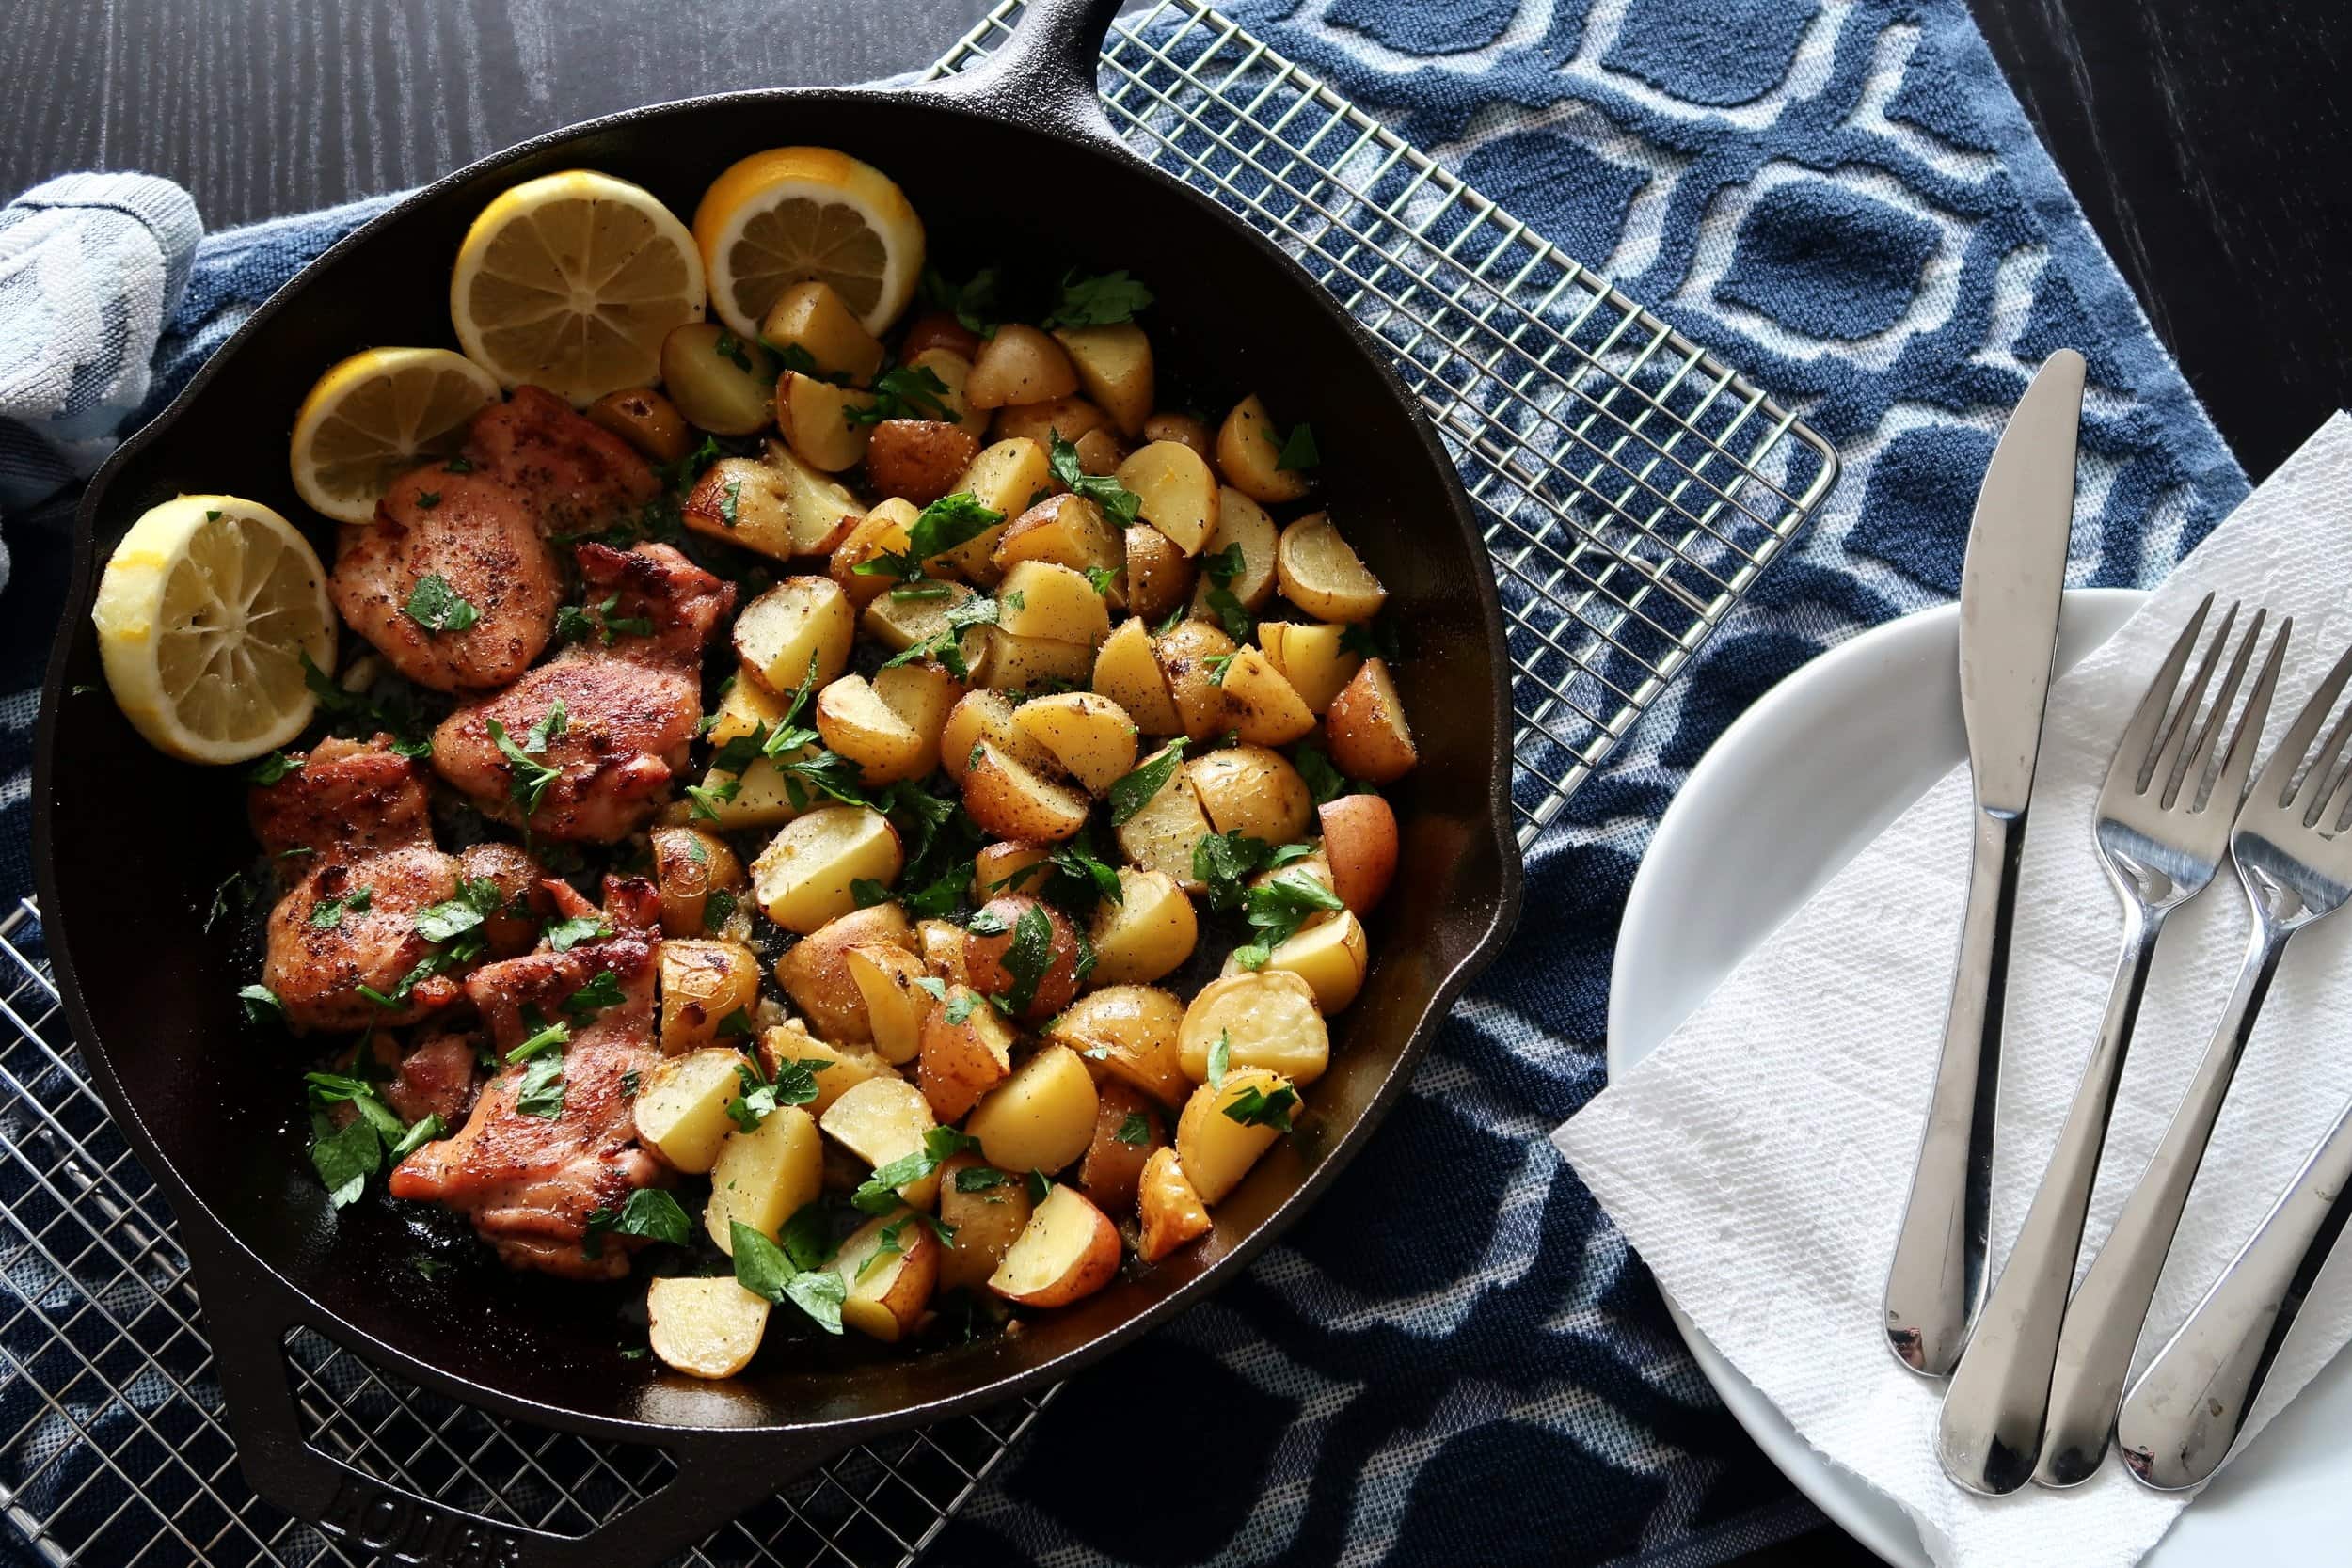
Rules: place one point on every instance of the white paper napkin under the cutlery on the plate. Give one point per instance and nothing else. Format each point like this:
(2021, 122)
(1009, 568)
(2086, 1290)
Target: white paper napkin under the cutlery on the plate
(1758, 1160)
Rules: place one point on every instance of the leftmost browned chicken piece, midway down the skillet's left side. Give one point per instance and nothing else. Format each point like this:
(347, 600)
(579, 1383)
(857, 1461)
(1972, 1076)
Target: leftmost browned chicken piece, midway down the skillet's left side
(352, 833)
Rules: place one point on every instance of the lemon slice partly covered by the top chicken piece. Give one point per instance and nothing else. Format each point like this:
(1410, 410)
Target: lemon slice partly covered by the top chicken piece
(380, 415)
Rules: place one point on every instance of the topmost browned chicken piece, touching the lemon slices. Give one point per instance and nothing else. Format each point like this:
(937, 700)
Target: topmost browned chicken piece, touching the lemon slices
(481, 525)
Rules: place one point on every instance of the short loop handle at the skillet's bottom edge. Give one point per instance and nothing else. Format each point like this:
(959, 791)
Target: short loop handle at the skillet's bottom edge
(382, 1522)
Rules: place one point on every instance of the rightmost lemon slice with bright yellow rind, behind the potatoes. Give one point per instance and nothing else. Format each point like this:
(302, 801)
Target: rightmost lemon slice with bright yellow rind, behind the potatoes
(791, 215)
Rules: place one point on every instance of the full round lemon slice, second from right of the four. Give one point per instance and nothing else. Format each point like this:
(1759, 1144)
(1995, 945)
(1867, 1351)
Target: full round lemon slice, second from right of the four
(570, 283)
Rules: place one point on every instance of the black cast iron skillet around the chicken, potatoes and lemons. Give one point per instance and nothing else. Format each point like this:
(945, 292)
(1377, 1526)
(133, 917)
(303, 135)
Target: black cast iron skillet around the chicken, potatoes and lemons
(131, 847)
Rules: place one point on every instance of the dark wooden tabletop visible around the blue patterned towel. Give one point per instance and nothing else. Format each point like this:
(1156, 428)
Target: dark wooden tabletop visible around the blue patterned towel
(2210, 147)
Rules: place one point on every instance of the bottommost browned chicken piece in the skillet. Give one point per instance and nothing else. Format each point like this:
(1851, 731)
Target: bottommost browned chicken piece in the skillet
(533, 1181)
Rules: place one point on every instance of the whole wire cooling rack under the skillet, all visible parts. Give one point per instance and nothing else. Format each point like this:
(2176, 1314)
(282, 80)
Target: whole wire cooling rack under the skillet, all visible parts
(1631, 488)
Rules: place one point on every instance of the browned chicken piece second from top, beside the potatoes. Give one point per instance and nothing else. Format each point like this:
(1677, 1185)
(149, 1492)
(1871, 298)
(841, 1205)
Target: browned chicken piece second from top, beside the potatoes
(615, 721)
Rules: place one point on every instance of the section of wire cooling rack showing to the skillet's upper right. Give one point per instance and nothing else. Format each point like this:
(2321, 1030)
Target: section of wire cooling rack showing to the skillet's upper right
(1631, 483)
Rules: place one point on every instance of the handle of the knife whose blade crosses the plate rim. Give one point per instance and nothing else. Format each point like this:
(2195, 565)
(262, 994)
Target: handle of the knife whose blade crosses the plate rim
(1937, 1280)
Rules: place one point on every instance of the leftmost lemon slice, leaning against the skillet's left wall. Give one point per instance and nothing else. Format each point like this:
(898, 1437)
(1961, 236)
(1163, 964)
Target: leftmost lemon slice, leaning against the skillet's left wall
(203, 617)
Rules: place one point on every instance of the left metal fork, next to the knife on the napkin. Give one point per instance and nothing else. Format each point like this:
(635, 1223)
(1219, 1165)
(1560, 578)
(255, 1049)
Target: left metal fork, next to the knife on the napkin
(2163, 829)
